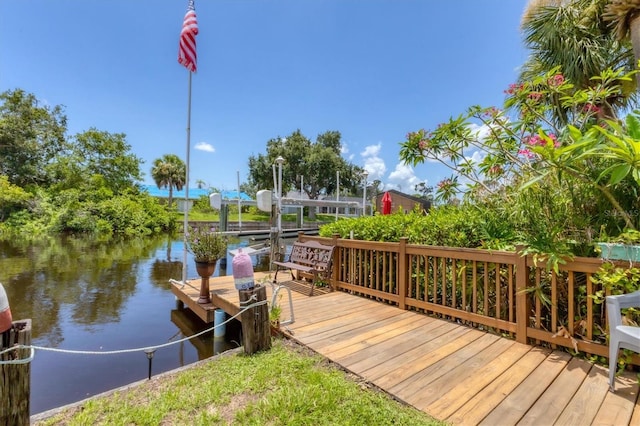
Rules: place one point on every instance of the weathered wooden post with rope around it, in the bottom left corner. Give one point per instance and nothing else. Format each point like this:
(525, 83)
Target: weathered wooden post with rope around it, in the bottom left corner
(15, 379)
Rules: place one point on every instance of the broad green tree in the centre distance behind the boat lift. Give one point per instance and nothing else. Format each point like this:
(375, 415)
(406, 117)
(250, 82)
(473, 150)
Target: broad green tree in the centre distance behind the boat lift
(315, 163)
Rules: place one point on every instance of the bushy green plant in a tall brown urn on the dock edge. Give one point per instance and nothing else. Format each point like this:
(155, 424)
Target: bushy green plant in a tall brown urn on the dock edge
(207, 246)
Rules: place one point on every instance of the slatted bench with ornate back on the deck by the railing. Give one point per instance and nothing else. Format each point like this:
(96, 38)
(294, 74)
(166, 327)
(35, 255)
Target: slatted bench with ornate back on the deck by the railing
(310, 259)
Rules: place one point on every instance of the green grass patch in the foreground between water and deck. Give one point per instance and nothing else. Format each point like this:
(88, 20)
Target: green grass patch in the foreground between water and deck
(283, 386)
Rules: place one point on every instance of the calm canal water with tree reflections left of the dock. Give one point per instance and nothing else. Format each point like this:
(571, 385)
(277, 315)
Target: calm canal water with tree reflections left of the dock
(90, 296)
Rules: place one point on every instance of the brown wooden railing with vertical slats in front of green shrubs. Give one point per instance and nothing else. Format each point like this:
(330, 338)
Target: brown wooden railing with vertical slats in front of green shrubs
(481, 288)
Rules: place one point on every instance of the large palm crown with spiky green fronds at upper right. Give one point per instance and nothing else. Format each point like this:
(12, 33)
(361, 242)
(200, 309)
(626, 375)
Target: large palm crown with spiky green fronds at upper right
(575, 35)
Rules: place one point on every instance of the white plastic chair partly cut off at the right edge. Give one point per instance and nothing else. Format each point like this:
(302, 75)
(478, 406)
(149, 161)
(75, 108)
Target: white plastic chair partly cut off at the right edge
(621, 336)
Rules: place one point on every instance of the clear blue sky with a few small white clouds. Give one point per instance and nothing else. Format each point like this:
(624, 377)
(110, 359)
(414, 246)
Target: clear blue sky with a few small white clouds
(372, 70)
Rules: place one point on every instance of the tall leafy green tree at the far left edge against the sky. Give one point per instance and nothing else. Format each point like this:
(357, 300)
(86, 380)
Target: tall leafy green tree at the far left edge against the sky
(31, 135)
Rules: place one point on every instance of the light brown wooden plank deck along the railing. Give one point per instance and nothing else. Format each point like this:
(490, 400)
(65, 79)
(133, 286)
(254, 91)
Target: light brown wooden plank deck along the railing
(452, 372)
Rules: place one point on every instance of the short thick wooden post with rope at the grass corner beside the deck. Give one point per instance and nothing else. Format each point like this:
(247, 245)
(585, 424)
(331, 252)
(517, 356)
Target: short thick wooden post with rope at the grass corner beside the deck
(256, 333)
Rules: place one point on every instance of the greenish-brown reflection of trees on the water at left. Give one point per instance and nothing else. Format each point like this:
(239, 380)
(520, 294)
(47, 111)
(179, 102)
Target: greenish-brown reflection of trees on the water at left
(92, 279)
